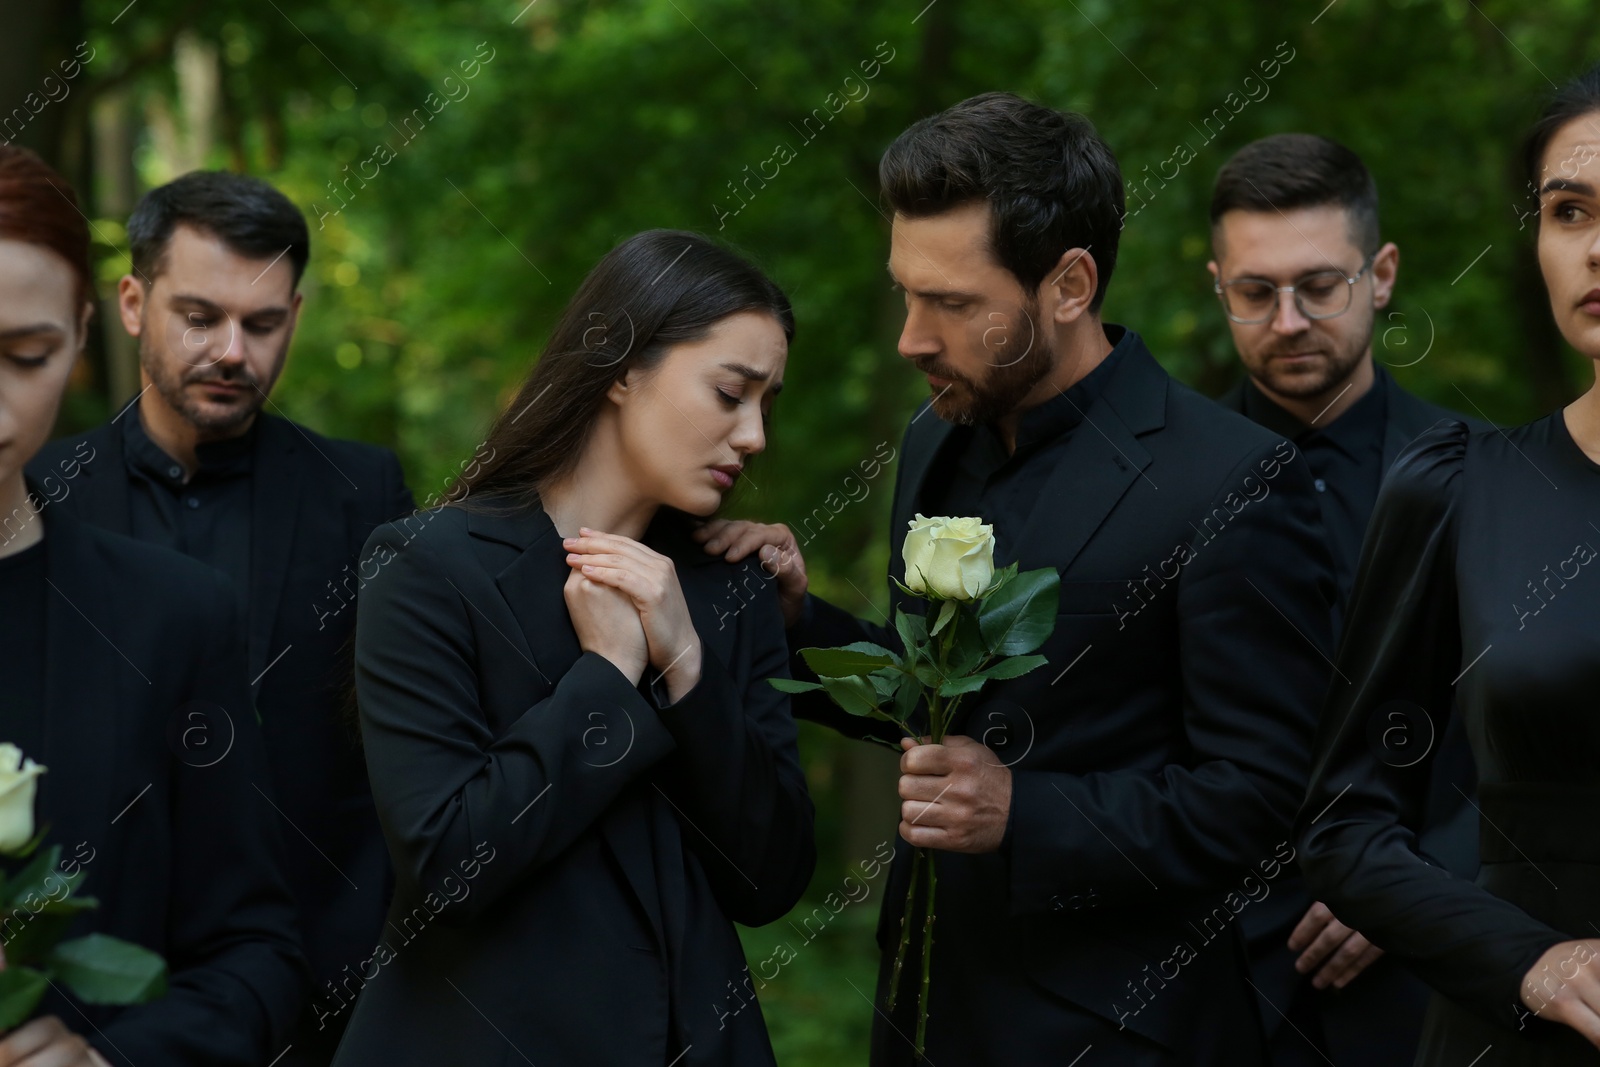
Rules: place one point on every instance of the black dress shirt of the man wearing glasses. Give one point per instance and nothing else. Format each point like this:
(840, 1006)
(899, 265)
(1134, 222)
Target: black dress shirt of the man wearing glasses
(1346, 458)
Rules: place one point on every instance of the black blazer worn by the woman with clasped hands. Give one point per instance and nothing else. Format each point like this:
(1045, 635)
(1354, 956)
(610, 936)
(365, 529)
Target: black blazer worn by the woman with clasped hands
(569, 853)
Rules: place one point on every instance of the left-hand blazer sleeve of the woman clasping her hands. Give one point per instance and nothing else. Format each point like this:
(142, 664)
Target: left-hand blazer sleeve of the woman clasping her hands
(444, 785)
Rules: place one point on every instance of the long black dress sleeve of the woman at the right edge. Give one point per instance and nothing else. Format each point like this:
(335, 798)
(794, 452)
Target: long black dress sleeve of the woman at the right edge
(1398, 665)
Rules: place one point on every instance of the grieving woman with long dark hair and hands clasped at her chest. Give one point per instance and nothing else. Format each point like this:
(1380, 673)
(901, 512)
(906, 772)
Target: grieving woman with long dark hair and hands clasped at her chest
(582, 772)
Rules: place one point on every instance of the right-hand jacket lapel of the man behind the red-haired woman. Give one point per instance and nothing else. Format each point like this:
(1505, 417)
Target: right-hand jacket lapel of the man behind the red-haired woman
(274, 506)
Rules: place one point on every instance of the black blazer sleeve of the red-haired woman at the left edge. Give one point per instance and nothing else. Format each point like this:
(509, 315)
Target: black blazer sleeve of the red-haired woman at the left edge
(236, 973)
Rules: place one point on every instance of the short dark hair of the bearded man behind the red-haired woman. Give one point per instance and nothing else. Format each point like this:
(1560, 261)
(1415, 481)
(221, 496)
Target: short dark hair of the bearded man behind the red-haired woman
(246, 214)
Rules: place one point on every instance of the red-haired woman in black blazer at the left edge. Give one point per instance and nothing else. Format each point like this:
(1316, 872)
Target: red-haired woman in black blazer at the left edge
(124, 671)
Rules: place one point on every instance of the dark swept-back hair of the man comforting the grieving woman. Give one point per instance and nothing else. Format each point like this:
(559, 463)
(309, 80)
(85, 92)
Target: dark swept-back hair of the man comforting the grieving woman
(1050, 182)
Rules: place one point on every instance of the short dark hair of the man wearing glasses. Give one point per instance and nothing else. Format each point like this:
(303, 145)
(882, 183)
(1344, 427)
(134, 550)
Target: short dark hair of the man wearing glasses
(1300, 170)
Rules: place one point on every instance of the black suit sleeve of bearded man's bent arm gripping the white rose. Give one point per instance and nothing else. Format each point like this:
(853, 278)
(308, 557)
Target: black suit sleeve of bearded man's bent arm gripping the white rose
(1254, 637)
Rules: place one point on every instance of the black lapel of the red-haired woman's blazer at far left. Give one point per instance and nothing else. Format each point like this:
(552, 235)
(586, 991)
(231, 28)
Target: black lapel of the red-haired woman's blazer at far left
(84, 709)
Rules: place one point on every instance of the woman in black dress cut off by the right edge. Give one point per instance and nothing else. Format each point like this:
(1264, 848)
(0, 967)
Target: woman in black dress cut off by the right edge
(1481, 596)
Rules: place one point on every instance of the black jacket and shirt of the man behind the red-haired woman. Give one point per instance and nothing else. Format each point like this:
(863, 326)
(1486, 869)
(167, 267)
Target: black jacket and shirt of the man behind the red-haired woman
(313, 502)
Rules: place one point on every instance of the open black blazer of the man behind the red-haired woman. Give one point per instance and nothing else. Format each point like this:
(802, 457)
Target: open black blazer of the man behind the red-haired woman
(316, 500)
